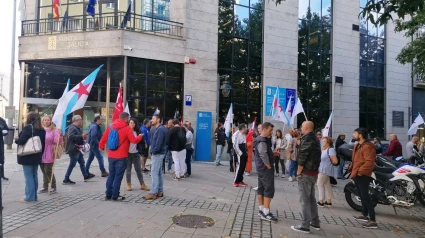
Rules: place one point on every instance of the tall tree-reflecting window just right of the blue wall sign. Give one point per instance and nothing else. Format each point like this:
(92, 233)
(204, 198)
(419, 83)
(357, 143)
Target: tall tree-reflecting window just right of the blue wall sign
(314, 60)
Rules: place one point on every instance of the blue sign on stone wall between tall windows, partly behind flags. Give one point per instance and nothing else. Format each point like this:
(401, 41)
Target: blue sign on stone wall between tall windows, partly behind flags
(284, 95)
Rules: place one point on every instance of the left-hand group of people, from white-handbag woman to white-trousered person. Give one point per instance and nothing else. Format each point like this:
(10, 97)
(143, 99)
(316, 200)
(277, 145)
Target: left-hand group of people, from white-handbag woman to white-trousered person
(134, 145)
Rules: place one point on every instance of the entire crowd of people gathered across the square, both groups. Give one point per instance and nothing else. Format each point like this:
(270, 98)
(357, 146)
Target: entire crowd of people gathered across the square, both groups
(300, 155)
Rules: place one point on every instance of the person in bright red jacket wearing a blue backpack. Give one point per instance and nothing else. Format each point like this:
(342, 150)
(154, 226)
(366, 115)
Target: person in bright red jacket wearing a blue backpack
(118, 135)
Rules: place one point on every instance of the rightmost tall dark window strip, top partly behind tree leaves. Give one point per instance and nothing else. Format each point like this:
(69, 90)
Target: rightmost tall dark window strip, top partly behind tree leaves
(372, 76)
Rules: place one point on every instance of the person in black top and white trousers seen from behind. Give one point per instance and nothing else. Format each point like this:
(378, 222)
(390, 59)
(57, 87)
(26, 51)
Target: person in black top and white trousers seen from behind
(177, 146)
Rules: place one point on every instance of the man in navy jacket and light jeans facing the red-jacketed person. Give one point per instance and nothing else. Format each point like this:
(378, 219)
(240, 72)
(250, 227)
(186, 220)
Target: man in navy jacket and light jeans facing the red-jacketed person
(158, 144)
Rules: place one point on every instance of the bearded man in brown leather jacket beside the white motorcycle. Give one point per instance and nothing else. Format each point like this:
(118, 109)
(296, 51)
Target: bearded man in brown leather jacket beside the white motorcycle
(364, 156)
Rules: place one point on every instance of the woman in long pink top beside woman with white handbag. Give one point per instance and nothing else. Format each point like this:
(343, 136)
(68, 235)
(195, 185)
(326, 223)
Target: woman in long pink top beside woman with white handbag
(48, 159)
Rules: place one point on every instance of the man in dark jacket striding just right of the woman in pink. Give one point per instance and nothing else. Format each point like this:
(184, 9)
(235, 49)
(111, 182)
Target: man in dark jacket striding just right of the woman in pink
(73, 143)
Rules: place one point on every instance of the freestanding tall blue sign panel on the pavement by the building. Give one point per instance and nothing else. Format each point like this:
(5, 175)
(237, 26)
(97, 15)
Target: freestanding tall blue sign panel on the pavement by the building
(203, 136)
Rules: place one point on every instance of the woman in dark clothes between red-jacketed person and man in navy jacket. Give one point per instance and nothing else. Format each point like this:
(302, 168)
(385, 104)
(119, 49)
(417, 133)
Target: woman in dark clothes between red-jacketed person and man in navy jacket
(134, 158)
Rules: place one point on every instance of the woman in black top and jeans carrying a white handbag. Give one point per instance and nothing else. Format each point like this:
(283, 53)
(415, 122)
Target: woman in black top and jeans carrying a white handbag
(31, 141)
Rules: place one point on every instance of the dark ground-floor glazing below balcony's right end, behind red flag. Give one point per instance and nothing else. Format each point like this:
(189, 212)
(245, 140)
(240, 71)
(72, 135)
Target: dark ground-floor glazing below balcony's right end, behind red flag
(154, 84)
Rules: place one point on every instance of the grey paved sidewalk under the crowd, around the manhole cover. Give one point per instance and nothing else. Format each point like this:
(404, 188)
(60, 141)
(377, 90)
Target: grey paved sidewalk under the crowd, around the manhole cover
(80, 211)
